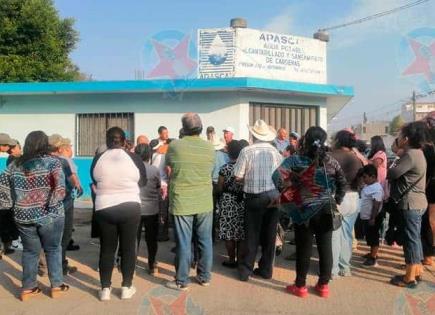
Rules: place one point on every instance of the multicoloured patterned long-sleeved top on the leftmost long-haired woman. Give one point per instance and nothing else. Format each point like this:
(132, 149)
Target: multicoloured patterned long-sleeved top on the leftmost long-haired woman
(34, 190)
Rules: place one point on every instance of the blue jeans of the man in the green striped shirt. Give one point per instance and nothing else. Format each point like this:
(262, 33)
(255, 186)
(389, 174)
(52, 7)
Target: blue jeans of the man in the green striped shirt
(185, 226)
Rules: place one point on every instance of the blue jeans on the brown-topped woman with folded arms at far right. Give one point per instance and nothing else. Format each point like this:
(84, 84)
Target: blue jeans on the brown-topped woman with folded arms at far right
(412, 247)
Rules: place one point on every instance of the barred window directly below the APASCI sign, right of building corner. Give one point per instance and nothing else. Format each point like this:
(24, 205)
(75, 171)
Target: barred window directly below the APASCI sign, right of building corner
(290, 117)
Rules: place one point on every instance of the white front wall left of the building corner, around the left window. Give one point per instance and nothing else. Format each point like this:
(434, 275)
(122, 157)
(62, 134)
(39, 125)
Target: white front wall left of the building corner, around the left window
(56, 113)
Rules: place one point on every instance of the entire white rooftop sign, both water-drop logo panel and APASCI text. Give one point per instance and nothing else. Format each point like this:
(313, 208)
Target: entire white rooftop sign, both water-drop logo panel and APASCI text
(246, 52)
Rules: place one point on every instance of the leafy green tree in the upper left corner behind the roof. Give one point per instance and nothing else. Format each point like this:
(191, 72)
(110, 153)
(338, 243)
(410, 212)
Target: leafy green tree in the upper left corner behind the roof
(35, 42)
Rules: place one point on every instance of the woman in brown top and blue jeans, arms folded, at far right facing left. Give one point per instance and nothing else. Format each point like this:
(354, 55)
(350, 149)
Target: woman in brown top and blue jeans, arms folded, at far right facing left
(408, 188)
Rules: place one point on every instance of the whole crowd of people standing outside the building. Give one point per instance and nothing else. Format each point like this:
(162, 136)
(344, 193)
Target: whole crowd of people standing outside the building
(240, 192)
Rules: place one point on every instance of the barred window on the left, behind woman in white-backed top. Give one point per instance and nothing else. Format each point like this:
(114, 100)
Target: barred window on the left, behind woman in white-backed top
(91, 130)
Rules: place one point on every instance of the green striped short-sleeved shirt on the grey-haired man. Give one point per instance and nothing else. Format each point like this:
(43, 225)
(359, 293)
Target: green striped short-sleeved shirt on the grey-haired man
(191, 160)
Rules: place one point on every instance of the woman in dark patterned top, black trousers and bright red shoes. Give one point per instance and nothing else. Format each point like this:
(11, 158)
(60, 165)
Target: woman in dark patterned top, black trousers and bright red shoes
(311, 183)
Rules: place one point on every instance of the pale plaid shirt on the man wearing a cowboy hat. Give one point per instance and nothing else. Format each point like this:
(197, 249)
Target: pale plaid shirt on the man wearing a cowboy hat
(256, 165)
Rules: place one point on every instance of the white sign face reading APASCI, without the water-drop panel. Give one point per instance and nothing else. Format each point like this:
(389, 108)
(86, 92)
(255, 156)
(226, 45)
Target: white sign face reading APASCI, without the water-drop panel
(280, 57)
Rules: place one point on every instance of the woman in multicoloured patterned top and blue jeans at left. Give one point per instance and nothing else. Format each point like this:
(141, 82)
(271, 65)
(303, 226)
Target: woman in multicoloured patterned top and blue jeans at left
(34, 185)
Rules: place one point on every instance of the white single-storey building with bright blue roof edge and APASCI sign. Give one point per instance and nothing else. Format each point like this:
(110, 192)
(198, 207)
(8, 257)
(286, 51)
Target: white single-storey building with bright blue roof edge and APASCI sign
(275, 77)
